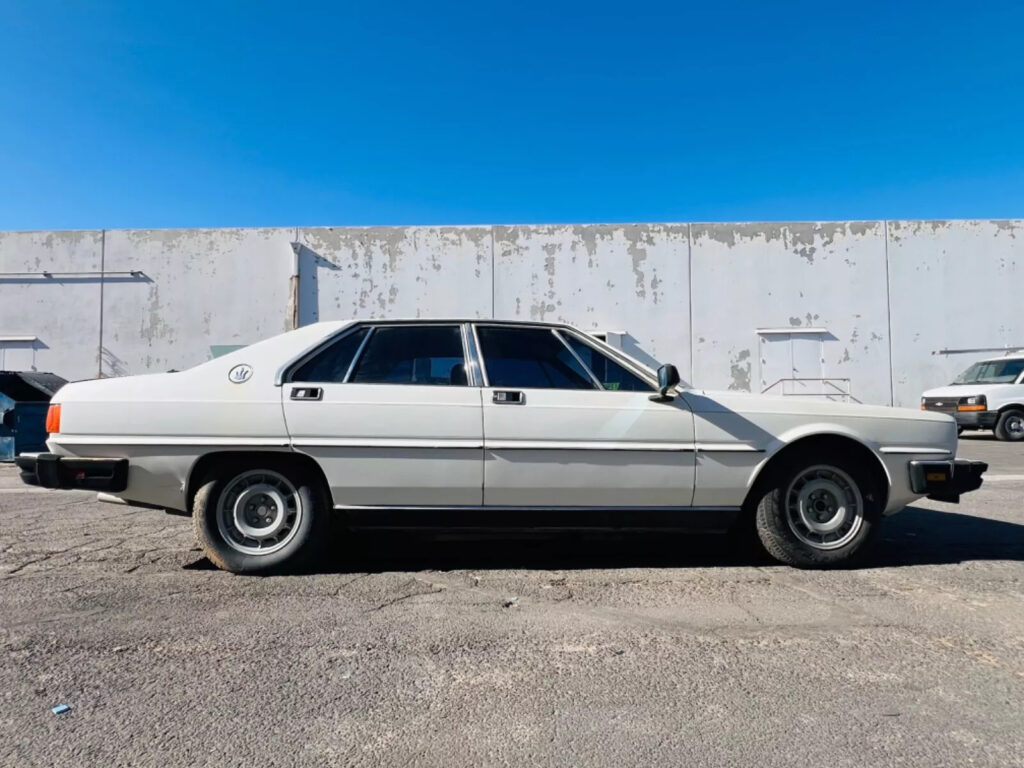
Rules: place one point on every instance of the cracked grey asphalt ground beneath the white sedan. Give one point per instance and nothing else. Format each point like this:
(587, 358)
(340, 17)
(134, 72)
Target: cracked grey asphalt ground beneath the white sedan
(571, 650)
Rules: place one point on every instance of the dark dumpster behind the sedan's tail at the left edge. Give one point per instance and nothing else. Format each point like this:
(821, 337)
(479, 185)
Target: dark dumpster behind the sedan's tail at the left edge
(25, 397)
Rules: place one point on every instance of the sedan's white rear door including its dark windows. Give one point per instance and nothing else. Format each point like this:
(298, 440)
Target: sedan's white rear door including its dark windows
(389, 413)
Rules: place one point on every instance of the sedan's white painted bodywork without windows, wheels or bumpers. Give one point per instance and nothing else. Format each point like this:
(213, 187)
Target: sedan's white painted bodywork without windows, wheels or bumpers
(418, 446)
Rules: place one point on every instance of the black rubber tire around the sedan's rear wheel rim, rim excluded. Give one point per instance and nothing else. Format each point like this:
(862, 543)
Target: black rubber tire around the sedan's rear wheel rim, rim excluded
(295, 556)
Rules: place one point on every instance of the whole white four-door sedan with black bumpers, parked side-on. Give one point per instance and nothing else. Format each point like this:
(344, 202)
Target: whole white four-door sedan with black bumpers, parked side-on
(453, 422)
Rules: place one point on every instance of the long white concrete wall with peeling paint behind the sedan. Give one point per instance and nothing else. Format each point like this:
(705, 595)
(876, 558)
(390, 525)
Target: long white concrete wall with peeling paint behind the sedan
(858, 306)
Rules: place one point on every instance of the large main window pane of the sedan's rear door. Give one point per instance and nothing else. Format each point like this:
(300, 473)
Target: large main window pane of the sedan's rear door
(413, 355)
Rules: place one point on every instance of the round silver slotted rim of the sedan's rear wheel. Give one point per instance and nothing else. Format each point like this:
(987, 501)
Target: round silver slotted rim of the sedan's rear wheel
(259, 513)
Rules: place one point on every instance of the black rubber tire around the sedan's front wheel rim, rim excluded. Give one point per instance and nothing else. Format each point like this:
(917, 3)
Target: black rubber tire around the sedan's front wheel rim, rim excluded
(774, 525)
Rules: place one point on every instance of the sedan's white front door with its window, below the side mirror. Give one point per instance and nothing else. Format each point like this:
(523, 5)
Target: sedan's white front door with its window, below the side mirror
(557, 434)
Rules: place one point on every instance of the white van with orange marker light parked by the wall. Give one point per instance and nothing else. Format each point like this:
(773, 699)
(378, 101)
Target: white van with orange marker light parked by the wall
(988, 396)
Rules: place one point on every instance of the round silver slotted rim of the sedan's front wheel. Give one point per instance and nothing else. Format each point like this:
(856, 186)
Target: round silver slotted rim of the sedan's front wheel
(825, 507)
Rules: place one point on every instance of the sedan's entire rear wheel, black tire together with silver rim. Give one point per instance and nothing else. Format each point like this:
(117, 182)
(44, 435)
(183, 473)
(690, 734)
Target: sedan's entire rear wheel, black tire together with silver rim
(297, 547)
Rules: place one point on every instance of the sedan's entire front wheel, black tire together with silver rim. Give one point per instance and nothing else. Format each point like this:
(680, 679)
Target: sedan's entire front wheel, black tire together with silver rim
(785, 531)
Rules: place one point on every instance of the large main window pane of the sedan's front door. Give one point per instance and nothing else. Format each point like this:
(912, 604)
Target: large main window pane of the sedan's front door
(530, 359)
